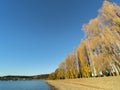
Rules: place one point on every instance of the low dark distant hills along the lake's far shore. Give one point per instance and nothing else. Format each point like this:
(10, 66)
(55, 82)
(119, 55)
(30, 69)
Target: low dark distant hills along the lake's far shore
(35, 77)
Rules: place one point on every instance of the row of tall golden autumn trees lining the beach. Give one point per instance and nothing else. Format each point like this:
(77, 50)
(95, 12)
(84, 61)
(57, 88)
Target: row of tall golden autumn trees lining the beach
(99, 53)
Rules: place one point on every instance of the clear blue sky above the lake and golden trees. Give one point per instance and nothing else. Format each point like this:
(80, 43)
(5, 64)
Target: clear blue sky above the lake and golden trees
(36, 35)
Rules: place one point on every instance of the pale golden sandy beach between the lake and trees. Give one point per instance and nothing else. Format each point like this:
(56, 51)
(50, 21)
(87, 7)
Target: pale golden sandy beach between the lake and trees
(99, 83)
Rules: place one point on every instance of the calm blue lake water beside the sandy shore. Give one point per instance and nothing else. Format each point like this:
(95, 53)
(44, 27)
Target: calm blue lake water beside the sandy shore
(24, 85)
